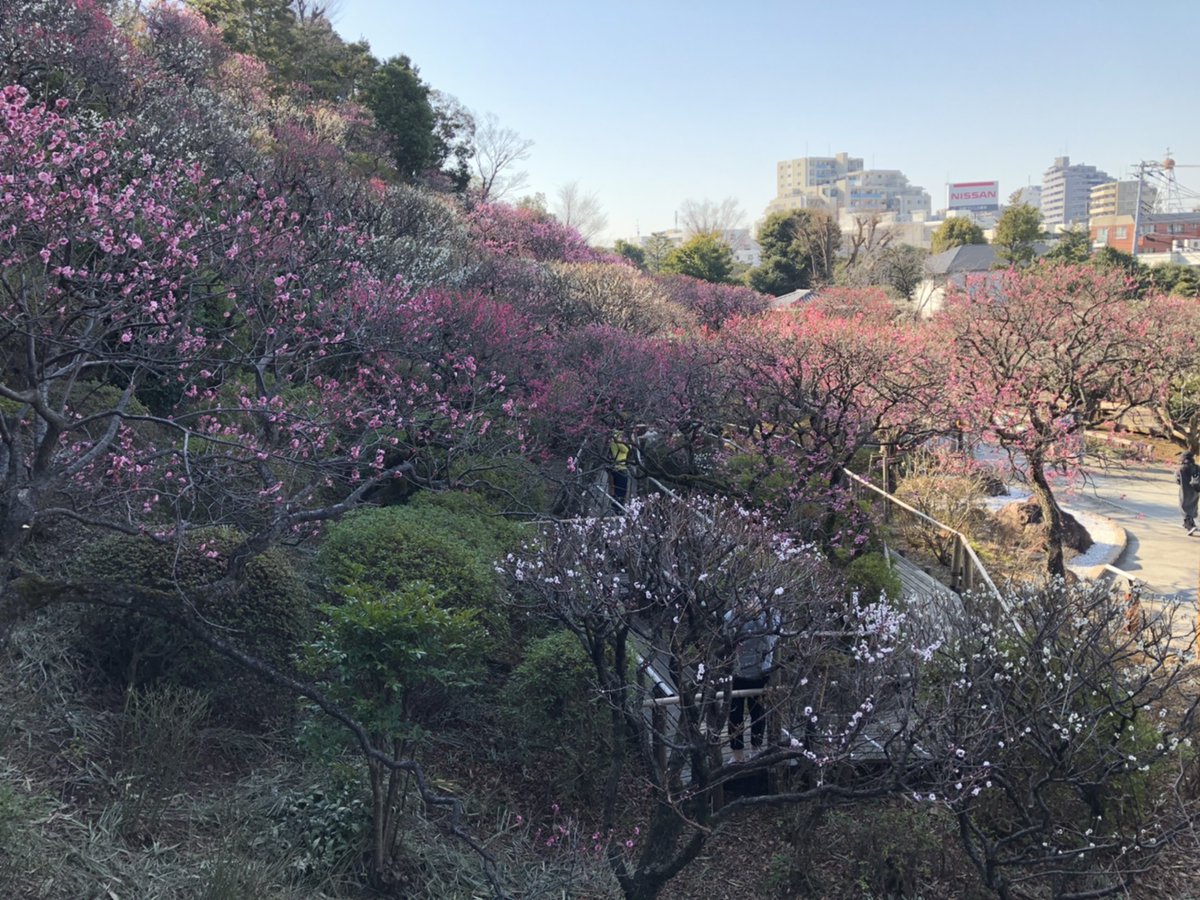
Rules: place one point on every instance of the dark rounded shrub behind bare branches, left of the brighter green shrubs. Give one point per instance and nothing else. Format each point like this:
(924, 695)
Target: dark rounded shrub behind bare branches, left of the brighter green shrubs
(269, 615)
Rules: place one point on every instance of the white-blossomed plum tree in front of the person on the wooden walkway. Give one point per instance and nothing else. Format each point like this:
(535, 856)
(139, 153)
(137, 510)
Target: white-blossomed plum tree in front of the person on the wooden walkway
(658, 599)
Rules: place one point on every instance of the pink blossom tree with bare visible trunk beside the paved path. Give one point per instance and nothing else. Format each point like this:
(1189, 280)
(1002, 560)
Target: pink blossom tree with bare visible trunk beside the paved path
(1036, 357)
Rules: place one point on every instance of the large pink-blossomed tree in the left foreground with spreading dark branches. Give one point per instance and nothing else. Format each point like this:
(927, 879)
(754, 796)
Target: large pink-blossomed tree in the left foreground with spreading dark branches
(178, 352)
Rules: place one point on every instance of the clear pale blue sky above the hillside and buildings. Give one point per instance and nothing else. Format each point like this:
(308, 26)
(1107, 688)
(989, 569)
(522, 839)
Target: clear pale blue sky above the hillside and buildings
(650, 104)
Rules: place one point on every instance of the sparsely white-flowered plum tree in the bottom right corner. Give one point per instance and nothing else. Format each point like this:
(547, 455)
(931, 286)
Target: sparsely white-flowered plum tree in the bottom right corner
(1061, 748)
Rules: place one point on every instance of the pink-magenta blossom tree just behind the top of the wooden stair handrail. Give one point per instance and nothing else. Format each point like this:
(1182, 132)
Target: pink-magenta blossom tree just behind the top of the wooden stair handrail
(813, 386)
